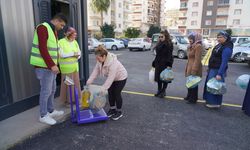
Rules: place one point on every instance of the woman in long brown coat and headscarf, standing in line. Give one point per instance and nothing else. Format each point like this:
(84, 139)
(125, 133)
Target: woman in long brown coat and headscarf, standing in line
(194, 66)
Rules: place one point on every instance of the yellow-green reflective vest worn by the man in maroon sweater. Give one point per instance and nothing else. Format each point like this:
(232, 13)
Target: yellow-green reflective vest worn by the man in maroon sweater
(35, 57)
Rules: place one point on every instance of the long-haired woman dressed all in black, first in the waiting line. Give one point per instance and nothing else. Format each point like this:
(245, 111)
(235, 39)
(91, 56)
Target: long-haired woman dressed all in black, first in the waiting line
(163, 60)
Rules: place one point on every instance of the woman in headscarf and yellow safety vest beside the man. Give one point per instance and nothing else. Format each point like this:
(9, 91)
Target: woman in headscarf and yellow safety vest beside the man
(69, 53)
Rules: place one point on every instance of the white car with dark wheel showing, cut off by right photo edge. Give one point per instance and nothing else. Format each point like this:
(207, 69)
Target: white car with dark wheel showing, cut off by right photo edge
(237, 51)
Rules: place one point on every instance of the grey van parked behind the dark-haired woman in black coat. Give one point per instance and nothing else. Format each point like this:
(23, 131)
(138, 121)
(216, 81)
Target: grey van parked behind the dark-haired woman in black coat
(180, 44)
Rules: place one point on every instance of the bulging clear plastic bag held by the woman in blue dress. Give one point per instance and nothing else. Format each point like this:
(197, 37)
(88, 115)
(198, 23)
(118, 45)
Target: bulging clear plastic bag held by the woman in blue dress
(216, 87)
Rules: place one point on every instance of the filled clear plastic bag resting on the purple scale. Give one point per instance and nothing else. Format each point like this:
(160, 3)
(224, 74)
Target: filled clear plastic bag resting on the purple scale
(97, 102)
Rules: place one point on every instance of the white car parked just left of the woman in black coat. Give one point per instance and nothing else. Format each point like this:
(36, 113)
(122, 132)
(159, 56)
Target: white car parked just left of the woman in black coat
(139, 43)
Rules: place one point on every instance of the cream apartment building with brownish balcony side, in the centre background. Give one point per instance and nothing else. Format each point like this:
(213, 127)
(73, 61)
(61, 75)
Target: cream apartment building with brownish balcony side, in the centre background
(146, 13)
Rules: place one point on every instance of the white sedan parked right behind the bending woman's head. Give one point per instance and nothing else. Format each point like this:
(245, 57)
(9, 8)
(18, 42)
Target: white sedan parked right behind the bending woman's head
(111, 43)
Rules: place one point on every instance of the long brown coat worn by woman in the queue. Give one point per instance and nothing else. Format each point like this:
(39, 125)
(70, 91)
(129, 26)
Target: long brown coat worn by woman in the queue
(194, 66)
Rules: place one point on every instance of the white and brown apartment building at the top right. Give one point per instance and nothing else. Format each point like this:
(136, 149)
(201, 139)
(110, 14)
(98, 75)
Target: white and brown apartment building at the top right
(210, 16)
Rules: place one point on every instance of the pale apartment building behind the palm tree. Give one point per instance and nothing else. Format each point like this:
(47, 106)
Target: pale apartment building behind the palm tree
(117, 14)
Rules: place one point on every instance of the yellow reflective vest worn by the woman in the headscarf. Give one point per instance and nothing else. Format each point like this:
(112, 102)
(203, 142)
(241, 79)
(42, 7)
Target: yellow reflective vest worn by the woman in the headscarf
(68, 63)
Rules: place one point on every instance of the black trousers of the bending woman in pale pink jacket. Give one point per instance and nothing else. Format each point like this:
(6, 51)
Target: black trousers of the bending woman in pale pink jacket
(115, 97)
